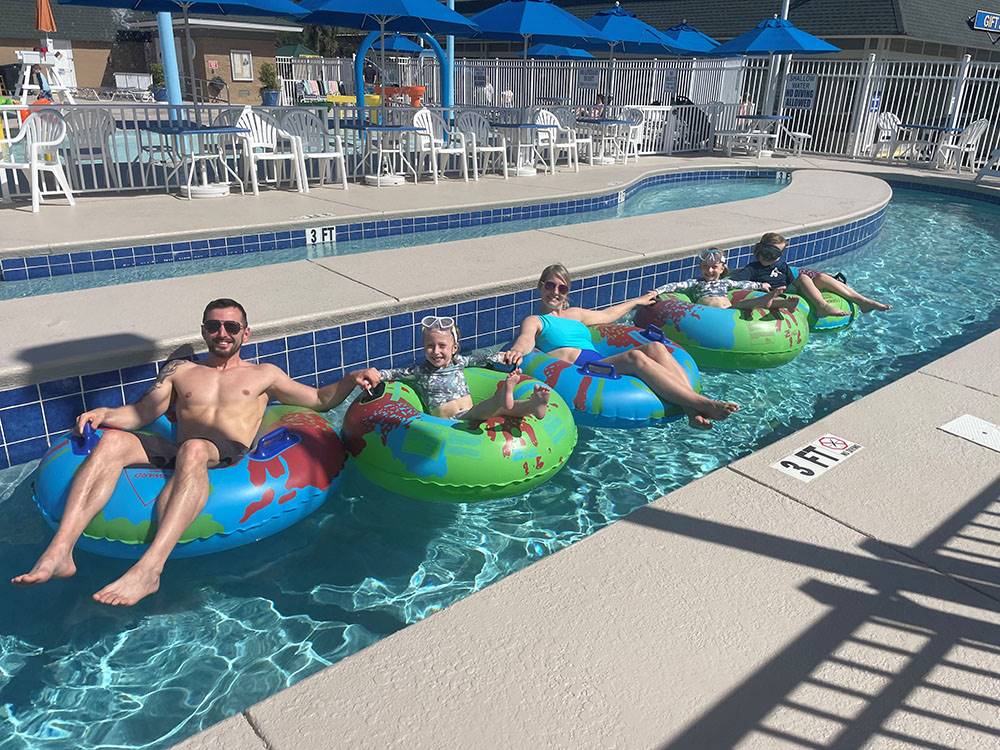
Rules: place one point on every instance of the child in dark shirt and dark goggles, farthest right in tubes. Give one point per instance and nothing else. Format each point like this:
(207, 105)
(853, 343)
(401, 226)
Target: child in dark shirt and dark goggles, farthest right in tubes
(769, 267)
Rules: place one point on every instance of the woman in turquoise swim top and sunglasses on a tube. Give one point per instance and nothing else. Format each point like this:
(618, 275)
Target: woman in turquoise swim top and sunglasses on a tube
(560, 331)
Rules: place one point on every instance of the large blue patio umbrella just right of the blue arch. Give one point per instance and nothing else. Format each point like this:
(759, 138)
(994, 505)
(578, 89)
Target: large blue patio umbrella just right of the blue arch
(537, 21)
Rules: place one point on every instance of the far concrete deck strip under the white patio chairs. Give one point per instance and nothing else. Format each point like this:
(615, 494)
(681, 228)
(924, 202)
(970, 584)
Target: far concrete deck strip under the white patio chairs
(100, 221)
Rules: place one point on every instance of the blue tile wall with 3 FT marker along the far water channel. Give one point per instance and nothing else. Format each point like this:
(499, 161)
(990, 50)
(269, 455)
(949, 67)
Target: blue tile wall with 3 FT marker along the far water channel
(86, 261)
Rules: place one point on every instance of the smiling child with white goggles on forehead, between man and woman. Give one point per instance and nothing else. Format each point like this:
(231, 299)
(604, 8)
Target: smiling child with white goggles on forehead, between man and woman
(441, 383)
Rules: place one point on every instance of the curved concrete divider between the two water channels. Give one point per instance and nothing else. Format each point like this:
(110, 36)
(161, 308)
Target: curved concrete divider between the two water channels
(83, 330)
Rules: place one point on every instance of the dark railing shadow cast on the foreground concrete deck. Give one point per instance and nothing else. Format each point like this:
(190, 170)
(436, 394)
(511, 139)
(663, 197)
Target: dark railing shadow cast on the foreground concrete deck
(935, 657)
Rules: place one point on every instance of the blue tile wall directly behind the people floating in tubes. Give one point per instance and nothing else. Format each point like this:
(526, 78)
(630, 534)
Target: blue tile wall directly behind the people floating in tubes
(34, 416)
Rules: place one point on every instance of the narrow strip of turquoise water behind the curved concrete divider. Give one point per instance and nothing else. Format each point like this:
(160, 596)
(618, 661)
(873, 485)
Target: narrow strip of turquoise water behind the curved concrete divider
(654, 199)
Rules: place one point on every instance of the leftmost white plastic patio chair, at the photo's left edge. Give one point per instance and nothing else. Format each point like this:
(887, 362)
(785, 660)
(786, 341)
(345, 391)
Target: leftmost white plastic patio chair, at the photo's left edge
(41, 135)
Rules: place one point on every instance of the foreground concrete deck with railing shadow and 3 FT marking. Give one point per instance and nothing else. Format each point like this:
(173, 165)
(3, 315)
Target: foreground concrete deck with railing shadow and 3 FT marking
(746, 609)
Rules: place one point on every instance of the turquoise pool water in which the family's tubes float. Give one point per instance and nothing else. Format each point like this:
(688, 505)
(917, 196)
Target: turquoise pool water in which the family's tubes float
(228, 630)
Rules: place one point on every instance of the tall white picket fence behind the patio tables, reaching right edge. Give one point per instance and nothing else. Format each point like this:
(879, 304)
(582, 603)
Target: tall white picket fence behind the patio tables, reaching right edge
(849, 94)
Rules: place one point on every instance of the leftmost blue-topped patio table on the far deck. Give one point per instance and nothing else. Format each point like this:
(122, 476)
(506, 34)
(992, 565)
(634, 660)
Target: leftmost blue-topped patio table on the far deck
(181, 156)
